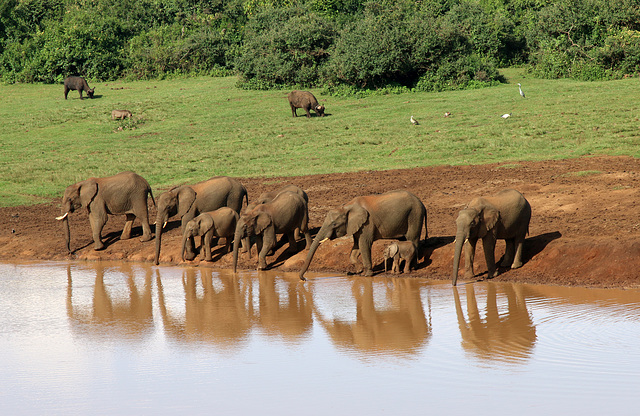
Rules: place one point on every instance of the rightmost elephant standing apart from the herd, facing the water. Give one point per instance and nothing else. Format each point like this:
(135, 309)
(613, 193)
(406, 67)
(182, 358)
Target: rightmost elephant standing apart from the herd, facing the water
(504, 216)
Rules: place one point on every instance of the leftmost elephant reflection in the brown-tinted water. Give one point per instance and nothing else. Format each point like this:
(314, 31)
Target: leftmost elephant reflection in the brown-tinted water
(127, 312)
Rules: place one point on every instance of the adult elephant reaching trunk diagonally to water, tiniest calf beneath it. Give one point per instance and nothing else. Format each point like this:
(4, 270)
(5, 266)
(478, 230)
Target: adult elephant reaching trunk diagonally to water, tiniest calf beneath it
(393, 214)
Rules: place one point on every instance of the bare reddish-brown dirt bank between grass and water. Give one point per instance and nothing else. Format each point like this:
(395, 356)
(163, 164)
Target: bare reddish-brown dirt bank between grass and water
(585, 229)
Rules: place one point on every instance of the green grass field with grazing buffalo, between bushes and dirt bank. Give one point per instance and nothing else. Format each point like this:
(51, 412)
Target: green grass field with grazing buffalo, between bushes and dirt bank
(187, 130)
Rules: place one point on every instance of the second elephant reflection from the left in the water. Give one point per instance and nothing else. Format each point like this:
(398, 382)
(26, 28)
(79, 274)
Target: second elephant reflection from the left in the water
(223, 314)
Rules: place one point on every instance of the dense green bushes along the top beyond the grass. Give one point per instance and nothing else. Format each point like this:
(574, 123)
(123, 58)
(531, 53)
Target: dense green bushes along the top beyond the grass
(341, 44)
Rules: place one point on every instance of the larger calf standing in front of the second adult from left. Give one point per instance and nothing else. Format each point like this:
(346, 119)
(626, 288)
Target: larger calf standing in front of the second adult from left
(219, 223)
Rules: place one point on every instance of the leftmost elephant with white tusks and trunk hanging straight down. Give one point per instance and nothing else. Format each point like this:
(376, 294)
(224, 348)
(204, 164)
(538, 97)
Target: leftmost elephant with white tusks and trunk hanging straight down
(124, 193)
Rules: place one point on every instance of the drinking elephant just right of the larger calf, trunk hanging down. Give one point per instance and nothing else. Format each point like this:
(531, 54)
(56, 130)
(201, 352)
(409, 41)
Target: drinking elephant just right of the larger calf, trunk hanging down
(283, 215)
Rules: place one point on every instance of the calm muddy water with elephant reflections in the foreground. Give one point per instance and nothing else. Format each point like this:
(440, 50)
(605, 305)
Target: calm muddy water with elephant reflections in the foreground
(109, 338)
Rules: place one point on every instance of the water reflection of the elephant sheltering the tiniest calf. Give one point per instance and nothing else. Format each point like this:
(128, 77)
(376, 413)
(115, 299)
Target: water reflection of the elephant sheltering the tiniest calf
(402, 328)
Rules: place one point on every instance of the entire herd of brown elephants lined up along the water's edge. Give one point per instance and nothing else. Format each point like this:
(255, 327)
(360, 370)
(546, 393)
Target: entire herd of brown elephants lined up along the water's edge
(214, 208)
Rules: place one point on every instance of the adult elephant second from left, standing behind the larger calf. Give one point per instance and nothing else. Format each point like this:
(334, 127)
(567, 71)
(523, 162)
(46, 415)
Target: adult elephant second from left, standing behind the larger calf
(188, 201)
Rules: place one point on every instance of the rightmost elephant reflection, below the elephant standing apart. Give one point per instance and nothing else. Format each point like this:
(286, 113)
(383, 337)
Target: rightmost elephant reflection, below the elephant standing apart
(508, 336)
